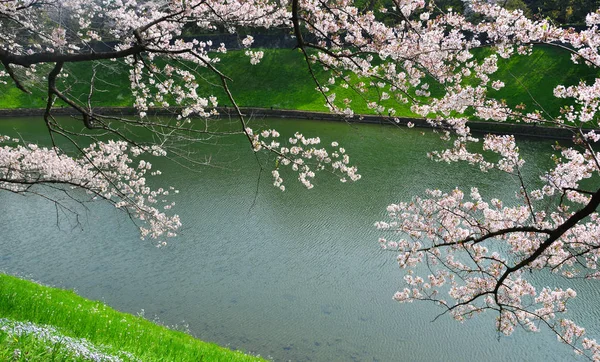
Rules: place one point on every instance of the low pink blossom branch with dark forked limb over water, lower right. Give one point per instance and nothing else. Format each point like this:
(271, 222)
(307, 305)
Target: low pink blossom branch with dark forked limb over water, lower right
(450, 245)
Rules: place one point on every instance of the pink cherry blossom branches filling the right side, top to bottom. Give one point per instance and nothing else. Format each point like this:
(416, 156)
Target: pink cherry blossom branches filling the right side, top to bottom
(461, 251)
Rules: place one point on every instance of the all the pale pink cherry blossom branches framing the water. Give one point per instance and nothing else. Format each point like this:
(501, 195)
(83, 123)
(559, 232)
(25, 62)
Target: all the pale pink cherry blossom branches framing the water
(461, 251)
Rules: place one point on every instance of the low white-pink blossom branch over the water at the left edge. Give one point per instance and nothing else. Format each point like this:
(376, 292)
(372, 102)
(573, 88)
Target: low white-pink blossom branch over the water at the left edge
(105, 170)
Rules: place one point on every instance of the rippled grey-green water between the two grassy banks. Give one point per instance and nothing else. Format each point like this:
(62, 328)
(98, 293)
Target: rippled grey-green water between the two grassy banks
(294, 276)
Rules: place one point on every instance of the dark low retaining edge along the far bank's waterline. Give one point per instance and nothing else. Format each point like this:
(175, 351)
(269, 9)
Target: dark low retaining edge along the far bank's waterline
(528, 130)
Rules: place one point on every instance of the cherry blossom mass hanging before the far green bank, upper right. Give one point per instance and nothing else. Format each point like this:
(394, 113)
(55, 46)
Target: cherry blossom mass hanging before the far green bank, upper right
(404, 57)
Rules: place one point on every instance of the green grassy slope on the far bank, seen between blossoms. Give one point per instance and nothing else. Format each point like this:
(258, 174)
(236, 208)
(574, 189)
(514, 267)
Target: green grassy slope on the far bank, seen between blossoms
(282, 81)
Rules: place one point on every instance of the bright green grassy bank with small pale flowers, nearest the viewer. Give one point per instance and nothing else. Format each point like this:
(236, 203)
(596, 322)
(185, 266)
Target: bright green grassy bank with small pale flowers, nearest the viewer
(111, 332)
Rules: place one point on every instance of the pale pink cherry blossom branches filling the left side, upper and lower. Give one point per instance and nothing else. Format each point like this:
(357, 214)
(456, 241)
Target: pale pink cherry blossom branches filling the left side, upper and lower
(38, 39)
